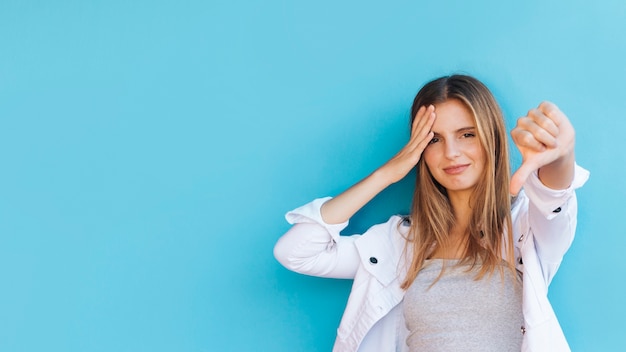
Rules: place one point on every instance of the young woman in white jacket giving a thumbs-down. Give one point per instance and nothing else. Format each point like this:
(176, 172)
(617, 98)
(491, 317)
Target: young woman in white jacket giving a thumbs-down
(469, 268)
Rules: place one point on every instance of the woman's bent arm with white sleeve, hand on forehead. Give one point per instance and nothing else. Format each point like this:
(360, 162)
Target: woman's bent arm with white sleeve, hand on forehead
(313, 245)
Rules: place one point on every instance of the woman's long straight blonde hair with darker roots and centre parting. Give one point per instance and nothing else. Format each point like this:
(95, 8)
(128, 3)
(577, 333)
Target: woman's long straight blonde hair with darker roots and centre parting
(431, 213)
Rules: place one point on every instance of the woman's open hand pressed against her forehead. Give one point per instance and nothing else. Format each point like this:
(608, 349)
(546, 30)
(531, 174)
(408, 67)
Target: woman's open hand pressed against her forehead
(406, 159)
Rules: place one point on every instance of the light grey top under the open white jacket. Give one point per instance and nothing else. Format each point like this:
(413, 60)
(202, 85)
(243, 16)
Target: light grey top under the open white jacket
(459, 313)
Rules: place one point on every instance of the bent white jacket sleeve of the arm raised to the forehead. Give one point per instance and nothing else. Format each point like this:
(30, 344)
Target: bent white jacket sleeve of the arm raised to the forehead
(313, 247)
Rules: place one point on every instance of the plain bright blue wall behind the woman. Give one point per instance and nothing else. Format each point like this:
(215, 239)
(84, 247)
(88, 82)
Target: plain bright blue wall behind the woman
(149, 150)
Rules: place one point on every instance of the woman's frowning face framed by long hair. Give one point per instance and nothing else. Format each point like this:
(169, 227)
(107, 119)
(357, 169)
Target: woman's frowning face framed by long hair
(455, 157)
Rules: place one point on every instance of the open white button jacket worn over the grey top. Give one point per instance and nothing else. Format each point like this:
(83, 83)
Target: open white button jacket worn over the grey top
(544, 222)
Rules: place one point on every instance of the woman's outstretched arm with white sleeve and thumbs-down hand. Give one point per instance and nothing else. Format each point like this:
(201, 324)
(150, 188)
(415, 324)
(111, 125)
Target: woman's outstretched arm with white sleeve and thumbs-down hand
(545, 138)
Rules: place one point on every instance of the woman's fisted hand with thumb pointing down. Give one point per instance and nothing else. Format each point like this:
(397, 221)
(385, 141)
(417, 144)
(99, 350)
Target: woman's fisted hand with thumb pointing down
(545, 138)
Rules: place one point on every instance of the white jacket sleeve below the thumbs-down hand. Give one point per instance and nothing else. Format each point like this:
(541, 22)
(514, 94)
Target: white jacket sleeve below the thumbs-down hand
(552, 219)
